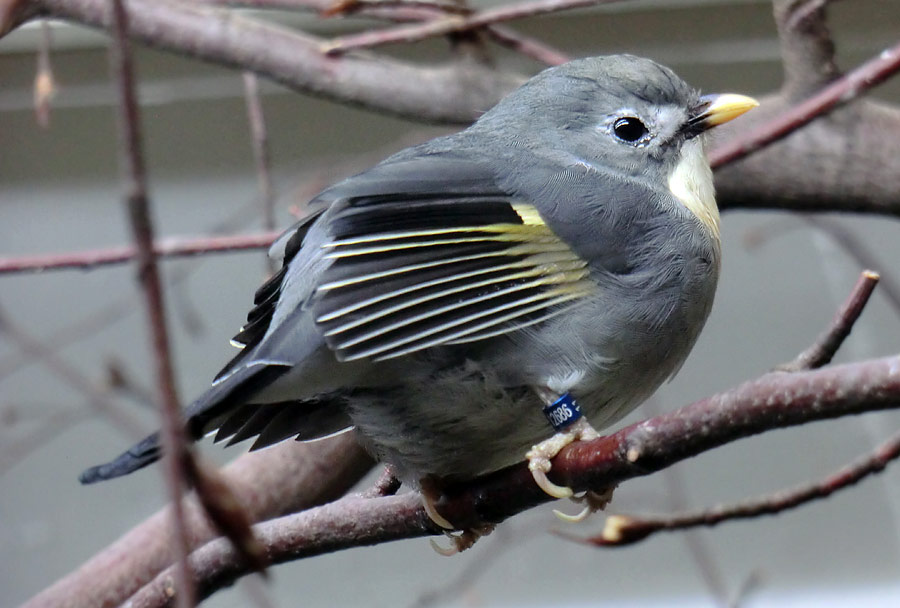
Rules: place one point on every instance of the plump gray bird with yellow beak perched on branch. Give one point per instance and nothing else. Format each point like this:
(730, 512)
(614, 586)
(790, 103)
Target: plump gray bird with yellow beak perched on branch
(458, 302)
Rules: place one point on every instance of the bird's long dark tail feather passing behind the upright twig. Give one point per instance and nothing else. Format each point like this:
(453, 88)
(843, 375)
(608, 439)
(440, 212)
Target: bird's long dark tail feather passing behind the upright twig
(214, 403)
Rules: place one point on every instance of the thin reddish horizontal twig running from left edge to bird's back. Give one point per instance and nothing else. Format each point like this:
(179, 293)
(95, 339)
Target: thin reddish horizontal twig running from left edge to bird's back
(166, 248)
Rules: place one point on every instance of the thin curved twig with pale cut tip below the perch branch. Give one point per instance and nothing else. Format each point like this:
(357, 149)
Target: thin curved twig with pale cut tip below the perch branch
(623, 530)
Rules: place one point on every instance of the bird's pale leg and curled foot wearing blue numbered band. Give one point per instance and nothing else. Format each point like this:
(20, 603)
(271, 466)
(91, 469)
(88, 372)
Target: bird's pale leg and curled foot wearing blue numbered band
(564, 415)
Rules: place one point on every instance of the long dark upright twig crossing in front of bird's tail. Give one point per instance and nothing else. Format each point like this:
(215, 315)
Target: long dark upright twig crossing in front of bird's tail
(134, 177)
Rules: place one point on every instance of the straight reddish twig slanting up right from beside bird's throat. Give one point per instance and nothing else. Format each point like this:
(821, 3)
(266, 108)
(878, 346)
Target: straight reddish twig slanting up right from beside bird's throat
(842, 91)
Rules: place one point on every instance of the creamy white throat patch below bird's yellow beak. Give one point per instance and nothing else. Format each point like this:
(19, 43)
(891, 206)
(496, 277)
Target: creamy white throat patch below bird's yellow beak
(691, 183)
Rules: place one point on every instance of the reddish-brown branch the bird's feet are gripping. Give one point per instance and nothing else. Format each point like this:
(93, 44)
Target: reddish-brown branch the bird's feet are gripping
(775, 400)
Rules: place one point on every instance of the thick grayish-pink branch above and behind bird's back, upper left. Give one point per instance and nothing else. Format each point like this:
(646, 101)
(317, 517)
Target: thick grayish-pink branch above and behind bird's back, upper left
(454, 93)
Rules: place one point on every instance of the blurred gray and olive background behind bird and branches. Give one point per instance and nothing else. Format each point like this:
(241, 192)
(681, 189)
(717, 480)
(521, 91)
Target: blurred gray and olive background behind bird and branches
(59, 191)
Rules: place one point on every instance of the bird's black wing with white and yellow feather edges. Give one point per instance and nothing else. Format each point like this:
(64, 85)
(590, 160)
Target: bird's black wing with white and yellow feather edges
(412, 271)
